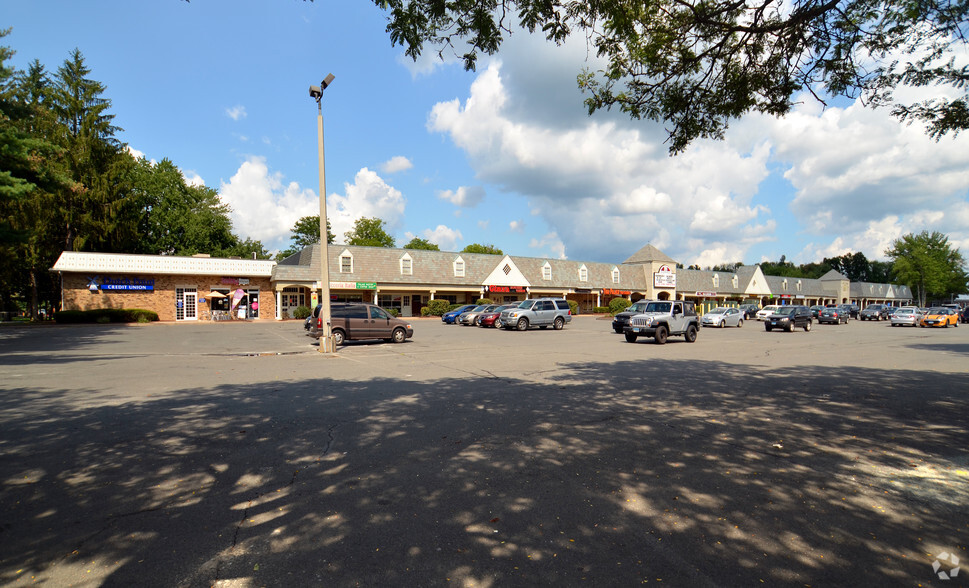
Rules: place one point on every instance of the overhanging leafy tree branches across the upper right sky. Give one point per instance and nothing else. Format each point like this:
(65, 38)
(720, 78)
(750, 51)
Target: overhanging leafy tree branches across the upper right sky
(695, 65)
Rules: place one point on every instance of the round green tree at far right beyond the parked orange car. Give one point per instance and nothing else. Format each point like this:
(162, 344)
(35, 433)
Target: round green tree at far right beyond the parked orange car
(928, 264)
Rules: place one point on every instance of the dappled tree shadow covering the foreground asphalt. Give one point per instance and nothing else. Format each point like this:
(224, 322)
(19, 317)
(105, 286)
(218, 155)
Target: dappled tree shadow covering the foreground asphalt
(692, 472)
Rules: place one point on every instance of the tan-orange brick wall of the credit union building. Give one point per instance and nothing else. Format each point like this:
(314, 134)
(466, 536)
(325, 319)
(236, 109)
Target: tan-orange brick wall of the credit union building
(77, 296)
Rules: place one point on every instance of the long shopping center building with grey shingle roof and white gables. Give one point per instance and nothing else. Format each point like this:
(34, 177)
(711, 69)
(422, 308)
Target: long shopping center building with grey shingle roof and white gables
(205, 288)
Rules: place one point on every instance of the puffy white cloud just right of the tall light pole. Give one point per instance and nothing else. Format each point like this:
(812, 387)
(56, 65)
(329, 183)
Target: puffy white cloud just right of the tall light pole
(368, 197)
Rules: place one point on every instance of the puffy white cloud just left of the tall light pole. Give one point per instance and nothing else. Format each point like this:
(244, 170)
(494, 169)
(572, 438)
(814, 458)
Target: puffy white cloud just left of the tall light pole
(263, 207)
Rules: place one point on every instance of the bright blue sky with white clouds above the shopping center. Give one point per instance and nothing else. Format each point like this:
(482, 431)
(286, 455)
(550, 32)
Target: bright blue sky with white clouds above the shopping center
(505, 155)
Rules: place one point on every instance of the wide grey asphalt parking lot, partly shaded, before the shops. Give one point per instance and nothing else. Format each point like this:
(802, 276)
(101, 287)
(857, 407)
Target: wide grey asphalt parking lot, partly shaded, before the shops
(237, 455)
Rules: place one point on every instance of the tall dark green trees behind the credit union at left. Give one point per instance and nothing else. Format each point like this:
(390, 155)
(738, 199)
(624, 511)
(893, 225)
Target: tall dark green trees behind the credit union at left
(67, 182)
